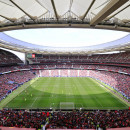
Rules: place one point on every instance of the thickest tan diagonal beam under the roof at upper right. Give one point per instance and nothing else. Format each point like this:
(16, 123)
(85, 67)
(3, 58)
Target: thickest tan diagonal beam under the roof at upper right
(107, 10)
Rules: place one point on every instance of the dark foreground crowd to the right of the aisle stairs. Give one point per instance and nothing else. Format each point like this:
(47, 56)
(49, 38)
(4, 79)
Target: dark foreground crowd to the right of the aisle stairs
(89, 120)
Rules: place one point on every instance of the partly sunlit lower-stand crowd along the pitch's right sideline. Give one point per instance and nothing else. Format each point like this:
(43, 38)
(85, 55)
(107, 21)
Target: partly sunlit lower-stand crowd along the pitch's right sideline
(120, 82)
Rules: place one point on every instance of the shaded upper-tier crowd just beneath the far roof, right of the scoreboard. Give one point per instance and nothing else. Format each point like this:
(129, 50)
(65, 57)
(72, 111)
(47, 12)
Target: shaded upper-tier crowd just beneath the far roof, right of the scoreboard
(123, 57)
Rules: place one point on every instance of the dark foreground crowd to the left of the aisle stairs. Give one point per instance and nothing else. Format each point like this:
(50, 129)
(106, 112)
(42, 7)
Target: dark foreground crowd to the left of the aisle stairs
(22, 118)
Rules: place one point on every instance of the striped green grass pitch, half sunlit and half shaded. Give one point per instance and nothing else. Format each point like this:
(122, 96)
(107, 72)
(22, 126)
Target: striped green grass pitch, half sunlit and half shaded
(63, 92)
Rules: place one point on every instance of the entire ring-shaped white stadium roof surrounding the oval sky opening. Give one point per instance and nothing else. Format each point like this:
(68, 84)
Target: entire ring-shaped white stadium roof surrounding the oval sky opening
(100, 14)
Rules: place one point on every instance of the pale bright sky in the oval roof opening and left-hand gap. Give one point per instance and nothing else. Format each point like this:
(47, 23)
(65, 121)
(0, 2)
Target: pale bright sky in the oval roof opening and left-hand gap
(65, 37)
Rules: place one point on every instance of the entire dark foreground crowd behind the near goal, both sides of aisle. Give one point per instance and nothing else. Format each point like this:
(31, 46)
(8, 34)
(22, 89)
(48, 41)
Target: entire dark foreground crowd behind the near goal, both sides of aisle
(65, 120)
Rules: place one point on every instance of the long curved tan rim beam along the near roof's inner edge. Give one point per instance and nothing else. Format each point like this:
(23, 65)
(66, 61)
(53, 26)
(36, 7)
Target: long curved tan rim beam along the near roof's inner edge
(64, 25)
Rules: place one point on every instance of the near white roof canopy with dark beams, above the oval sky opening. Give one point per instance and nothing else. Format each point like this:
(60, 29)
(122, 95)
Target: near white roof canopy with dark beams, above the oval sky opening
(107, 14)
